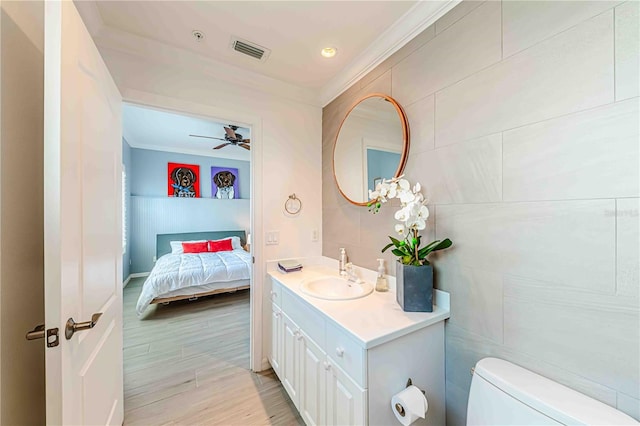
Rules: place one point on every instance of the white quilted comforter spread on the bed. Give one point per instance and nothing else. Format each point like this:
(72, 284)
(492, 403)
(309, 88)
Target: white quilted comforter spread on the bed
(178, 271)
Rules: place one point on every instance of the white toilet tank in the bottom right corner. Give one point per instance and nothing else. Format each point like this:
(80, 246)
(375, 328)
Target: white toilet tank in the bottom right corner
(505, 394)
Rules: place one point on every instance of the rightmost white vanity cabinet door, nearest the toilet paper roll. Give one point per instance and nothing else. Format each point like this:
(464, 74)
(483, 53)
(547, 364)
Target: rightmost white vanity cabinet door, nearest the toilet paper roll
(345, 399)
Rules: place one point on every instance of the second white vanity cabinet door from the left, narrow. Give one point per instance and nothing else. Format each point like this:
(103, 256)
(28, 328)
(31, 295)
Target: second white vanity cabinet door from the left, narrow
(290, 360)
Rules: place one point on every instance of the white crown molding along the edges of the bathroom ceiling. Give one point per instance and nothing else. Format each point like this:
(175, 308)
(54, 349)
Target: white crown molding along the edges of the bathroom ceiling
(413, 22)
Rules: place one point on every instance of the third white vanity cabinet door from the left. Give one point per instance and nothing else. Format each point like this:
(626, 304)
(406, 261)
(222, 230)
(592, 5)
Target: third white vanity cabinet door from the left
(313, 403)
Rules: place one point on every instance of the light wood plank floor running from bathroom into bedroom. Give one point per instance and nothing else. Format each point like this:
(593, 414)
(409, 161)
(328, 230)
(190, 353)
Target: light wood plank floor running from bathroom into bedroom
(187, 363)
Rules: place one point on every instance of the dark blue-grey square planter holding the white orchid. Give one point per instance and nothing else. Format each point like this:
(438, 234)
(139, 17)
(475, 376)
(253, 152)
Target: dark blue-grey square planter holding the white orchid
(414, 287)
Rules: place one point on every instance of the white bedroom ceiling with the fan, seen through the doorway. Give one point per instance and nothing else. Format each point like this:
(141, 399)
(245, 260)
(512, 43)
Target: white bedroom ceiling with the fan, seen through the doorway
(158, 130)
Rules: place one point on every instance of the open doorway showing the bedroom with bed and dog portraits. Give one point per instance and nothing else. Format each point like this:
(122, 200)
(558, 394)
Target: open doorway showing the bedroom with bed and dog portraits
(186, 265)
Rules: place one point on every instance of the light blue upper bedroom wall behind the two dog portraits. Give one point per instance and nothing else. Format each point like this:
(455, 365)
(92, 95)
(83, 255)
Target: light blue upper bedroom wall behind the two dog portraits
(149, 177)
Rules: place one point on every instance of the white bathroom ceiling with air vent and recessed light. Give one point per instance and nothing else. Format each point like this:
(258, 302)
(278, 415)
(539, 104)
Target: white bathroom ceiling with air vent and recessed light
(364, 32)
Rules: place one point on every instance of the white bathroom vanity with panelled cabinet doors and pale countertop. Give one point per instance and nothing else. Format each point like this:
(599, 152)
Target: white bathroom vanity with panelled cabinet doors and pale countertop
(341, 362)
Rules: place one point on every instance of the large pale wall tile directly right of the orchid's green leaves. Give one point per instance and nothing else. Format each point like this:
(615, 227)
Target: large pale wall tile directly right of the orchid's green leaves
(571, 243)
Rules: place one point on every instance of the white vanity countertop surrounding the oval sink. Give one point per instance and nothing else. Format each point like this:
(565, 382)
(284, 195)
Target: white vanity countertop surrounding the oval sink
(373, 319)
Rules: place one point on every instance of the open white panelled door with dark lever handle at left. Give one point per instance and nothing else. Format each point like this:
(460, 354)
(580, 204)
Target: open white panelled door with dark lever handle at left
(83, 248)
